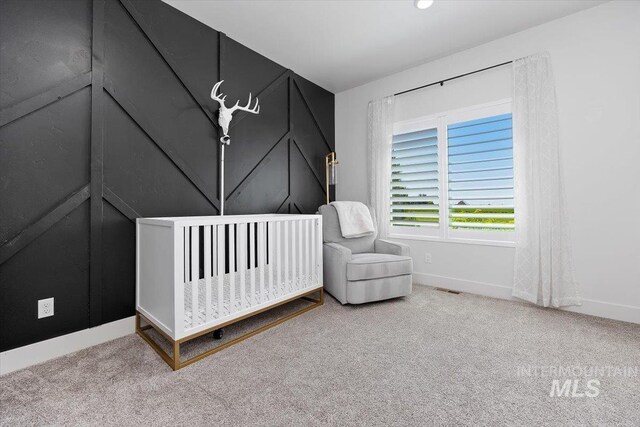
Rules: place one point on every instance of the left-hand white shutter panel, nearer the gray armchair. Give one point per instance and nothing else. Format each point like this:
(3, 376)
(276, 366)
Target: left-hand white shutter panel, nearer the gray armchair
(414, 179)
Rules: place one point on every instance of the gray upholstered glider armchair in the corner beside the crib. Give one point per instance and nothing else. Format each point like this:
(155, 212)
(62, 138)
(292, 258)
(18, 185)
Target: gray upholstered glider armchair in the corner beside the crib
(362, 269)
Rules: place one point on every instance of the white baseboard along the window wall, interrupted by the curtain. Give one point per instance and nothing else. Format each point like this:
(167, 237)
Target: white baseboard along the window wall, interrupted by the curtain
(625, 313)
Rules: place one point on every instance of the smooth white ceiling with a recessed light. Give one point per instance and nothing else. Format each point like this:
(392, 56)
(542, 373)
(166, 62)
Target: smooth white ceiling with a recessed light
(343, 44)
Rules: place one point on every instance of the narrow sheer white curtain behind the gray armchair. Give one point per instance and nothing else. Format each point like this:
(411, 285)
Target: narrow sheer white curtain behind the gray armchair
(379, 135)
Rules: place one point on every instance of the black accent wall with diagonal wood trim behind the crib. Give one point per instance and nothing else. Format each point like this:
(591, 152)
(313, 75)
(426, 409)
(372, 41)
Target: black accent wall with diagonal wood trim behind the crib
(105, 116)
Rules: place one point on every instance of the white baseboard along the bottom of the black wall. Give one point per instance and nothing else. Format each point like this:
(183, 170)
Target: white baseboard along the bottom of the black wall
(23, 357)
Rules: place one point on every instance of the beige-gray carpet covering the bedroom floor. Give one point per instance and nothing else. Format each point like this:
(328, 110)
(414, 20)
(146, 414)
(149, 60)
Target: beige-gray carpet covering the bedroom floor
(433, 358)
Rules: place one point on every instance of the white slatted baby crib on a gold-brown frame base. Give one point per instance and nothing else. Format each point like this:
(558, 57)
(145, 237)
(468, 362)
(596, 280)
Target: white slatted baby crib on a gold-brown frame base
(195, 275)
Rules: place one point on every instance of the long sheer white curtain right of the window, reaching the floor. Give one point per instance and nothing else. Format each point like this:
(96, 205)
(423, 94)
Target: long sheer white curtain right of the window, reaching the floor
(543, 272)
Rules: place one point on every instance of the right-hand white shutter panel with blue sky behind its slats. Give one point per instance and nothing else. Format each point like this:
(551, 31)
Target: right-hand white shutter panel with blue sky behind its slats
(480, 174)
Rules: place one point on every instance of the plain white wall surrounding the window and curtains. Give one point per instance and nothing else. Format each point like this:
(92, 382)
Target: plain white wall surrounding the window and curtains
(596, 58)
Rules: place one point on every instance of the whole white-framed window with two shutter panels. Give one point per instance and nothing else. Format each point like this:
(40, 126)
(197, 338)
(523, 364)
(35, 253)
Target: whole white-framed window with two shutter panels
(452, 176)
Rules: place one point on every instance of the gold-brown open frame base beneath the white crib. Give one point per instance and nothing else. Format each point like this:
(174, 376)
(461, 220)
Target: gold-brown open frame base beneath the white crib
(176, 363)
